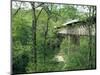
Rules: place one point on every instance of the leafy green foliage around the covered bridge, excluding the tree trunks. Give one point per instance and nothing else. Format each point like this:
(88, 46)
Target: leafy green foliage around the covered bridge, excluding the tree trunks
(76, 56)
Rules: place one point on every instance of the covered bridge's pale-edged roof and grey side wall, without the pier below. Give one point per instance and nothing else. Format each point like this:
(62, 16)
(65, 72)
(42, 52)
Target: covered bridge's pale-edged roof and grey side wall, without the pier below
(76, 27)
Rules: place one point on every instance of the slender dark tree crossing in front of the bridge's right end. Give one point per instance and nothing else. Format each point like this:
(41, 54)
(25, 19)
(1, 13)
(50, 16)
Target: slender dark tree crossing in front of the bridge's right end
(91, 19)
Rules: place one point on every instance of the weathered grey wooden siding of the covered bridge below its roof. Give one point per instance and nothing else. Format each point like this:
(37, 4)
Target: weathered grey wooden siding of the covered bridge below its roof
(81, 30)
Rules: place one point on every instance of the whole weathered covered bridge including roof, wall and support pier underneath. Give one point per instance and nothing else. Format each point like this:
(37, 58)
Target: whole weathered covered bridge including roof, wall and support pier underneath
(76, 28)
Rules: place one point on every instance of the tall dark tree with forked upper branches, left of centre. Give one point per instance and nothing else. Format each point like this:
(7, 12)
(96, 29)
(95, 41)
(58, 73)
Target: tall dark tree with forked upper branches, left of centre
(34, 26)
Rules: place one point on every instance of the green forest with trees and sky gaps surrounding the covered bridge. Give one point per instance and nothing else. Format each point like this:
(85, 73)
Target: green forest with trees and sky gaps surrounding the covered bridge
(35, 42)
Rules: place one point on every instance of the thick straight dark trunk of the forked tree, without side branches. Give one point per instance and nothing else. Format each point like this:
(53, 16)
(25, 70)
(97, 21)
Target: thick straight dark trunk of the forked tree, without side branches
(34, 24)
